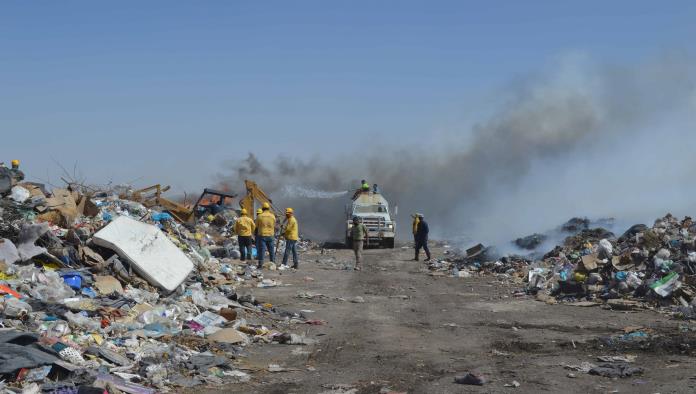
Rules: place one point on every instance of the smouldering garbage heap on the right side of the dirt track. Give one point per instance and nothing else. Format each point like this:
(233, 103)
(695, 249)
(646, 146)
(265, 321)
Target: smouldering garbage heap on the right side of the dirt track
(644, 267)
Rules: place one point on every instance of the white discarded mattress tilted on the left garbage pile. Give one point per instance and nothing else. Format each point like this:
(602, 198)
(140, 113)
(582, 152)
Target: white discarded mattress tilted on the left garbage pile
(147, 248)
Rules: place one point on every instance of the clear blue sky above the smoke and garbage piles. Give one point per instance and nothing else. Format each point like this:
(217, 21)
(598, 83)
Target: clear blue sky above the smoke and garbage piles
(170, 90)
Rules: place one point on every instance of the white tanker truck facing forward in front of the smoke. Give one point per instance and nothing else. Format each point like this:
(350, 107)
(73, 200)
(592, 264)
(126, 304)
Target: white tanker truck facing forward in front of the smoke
(373, 211)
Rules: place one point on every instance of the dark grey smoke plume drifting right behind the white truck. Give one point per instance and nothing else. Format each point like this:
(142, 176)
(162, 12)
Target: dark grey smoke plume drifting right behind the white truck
(576, 139)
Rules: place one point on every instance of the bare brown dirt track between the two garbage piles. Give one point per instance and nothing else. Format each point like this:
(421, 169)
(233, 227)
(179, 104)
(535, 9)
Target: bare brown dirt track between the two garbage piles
(414, 333)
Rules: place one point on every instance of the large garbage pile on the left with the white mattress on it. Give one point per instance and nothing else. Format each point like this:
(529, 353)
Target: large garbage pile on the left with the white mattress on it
(99, 293)
